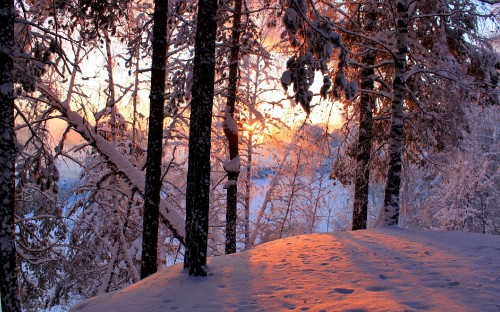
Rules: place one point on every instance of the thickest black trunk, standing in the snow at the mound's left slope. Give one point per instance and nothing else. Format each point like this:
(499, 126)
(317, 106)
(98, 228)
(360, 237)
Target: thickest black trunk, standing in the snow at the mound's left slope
(198, 178)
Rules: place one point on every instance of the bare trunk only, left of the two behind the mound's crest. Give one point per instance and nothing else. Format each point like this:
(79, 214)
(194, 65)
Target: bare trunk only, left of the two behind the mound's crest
(361, 184)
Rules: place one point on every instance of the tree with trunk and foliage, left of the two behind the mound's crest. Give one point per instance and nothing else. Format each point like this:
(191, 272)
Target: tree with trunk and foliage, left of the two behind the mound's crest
(360, 21)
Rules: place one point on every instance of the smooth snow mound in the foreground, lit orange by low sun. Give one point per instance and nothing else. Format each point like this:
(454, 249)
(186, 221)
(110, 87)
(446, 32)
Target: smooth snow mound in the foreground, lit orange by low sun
(388, 269)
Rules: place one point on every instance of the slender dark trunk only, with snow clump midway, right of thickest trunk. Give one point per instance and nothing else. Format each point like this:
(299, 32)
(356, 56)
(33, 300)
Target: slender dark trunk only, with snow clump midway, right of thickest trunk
(231, 133)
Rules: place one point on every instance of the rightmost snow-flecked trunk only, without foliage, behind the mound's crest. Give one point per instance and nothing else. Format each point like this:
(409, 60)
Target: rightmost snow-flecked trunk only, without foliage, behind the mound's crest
(390, 212)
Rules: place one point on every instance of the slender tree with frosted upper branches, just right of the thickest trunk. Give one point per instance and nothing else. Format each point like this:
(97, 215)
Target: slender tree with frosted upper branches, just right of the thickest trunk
(241, 34)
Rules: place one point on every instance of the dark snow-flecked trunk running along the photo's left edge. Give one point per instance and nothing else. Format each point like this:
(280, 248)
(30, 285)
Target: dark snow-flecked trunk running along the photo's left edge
(8, 270)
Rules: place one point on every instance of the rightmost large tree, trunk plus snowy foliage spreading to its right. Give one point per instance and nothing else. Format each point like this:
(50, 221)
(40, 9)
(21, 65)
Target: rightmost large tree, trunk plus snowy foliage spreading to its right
(446, 49)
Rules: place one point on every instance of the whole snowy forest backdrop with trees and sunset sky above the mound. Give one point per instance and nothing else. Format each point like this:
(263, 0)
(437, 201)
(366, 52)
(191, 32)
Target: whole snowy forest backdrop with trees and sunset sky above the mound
(139, 134)
